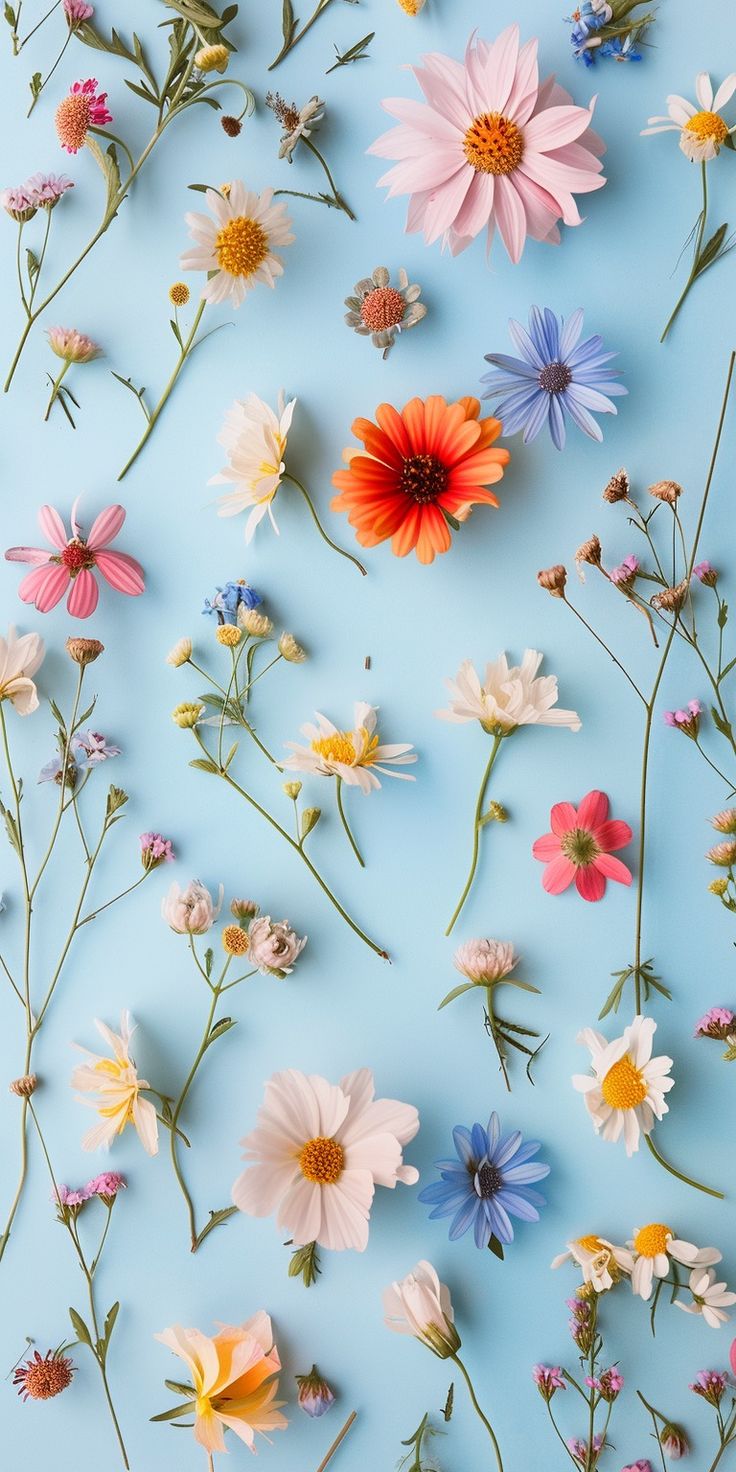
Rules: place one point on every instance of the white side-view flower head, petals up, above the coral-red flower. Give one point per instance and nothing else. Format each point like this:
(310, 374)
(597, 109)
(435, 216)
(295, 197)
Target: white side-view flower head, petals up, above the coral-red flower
(510, 697)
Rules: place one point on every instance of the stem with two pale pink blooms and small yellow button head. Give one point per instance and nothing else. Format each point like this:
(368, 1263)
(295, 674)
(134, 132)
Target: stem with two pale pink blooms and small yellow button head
(251, 940)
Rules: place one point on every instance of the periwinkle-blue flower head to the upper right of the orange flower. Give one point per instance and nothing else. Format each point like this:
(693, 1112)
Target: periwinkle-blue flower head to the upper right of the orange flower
(556, 376)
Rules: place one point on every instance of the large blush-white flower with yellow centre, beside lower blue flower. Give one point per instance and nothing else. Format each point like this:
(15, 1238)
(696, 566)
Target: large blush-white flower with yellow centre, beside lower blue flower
(317, 1155)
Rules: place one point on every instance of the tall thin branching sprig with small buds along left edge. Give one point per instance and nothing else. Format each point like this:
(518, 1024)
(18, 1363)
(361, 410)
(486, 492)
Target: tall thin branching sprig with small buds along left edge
(80, 753)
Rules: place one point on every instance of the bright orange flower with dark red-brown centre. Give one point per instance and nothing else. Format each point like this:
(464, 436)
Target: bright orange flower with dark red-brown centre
(423, 472)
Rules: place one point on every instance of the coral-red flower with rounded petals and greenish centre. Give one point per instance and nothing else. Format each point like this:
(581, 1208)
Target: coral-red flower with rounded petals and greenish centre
(581, 849)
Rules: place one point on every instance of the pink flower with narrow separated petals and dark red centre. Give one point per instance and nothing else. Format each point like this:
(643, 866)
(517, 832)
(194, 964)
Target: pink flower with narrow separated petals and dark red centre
(71, 565)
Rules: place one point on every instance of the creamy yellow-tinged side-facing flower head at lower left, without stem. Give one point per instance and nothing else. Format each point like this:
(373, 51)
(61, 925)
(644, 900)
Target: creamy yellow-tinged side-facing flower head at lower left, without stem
(118, 1091)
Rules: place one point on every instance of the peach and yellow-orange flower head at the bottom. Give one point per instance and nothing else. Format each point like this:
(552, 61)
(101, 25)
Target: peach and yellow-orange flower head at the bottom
(235, 1381)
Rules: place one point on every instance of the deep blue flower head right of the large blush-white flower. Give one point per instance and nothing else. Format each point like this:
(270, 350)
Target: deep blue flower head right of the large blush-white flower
(488, 1184)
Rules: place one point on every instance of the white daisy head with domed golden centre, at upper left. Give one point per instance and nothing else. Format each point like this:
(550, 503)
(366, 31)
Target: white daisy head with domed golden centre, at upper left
(238, 247)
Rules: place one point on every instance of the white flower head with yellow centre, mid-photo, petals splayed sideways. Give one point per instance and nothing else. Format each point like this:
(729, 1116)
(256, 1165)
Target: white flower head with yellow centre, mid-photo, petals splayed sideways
(354, 756)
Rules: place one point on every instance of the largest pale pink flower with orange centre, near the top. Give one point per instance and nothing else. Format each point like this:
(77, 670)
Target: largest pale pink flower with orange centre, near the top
(491, 146)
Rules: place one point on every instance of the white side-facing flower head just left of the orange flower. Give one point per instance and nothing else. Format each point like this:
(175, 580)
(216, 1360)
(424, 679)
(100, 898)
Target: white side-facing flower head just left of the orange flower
(254, 439)
